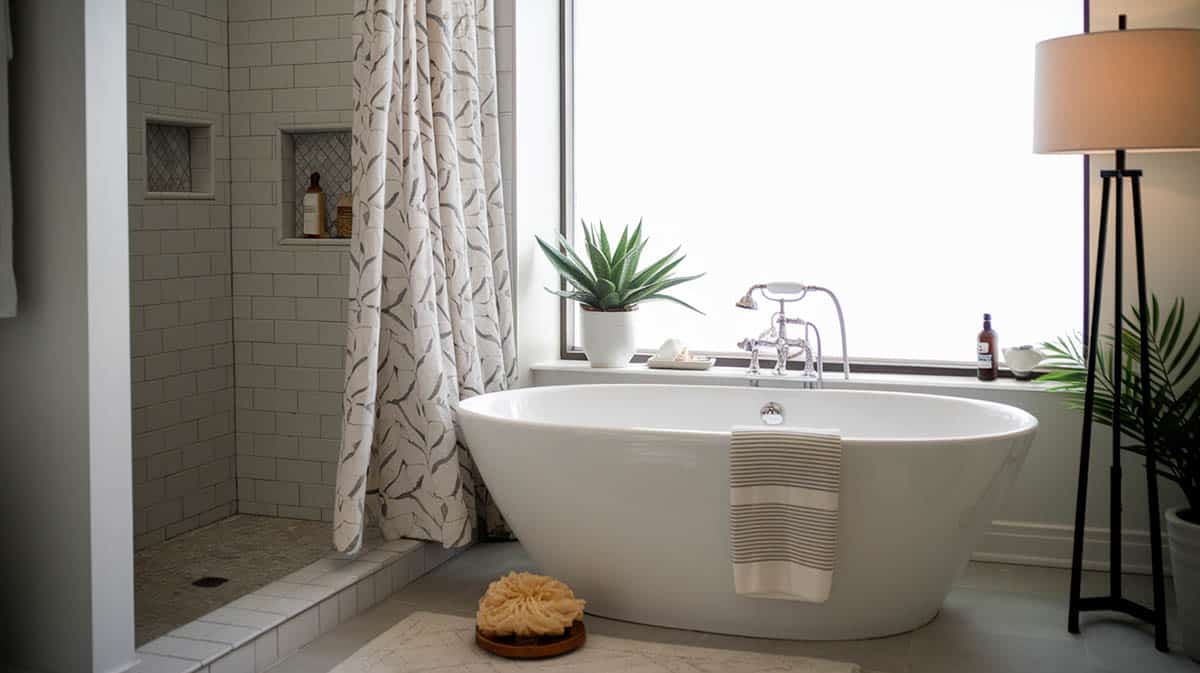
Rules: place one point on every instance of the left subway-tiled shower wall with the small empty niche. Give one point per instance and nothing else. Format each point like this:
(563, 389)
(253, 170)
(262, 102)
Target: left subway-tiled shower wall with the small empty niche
(182, 309)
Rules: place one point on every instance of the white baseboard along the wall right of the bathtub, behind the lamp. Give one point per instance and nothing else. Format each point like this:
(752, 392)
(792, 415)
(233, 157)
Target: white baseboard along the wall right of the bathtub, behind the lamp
(1049, 545)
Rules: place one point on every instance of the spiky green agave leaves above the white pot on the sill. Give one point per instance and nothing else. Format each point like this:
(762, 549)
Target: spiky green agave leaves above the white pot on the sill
(611, 279)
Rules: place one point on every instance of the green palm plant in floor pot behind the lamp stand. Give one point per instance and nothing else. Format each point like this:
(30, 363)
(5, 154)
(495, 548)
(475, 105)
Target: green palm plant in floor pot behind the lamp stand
(1175, 405)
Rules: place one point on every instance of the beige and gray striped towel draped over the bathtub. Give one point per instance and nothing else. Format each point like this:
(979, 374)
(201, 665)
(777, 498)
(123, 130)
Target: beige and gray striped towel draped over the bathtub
(784, 489)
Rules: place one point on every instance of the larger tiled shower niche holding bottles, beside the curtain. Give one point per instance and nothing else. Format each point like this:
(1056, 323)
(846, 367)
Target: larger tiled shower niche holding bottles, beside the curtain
(307, 152)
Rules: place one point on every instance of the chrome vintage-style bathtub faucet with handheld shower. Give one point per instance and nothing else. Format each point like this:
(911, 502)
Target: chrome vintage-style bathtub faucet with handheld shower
(777, 335)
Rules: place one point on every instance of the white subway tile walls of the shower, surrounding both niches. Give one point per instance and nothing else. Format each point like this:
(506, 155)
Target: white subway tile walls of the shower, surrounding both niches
(238, 339)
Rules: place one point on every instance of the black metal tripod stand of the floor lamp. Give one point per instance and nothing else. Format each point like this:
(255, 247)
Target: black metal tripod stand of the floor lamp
(1115, 602)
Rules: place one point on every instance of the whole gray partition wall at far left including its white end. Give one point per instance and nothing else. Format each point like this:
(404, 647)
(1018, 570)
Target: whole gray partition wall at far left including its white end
(64, 390)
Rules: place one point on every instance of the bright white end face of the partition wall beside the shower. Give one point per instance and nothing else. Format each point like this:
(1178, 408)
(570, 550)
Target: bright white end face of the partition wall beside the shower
(109, 336)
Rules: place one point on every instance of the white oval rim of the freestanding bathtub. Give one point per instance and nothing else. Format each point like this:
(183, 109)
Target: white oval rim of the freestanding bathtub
(1029, 425)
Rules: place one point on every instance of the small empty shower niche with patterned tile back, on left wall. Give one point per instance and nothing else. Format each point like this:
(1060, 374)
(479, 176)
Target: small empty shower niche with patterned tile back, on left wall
(179, 159)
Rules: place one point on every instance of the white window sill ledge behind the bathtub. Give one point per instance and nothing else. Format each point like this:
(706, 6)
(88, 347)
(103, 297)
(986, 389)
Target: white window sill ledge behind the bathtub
(563, 372)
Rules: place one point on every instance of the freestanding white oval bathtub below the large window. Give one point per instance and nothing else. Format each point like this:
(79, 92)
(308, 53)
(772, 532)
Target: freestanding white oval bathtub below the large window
(622, 492)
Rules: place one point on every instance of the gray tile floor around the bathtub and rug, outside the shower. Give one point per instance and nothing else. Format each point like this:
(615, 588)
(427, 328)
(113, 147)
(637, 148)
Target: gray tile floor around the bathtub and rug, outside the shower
(999, 618)
